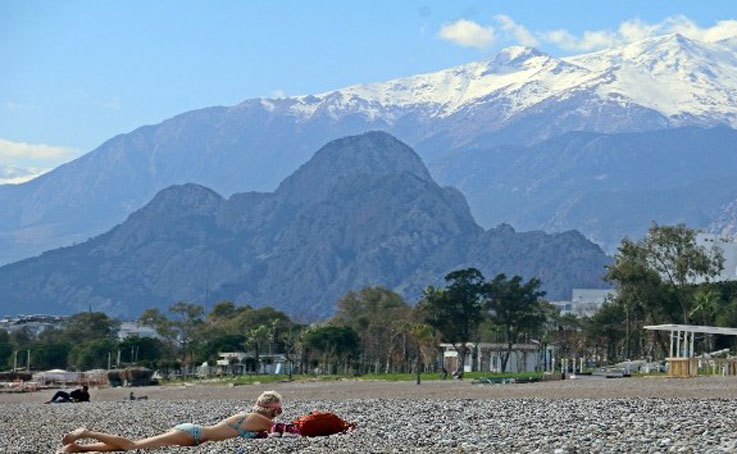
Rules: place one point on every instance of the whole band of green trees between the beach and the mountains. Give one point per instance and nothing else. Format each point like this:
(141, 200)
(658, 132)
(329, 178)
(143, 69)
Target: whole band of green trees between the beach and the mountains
(374, 330)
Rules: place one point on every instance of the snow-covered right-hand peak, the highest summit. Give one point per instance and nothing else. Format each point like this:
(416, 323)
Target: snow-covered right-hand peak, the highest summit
(678, 77)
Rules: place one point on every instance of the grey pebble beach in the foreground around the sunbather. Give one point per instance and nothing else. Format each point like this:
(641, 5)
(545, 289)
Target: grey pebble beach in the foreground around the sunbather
(588, 415)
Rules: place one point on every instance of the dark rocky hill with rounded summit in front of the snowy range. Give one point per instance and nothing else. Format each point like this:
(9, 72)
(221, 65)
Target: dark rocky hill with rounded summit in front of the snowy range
(363, 211)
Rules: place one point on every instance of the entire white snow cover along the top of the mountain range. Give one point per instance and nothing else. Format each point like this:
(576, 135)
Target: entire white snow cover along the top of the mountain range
(683, 80)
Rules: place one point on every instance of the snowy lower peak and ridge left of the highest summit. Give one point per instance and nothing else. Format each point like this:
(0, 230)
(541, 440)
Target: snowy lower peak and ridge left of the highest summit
(525, 75)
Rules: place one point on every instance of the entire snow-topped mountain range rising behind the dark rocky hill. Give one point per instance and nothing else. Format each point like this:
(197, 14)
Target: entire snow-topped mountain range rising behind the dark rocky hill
(521, 99)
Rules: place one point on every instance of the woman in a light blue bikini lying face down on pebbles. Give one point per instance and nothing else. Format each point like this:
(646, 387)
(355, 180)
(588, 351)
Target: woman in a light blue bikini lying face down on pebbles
(253, 424)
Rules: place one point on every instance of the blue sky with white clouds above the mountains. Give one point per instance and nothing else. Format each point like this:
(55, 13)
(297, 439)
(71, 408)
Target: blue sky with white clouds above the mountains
(76, 73)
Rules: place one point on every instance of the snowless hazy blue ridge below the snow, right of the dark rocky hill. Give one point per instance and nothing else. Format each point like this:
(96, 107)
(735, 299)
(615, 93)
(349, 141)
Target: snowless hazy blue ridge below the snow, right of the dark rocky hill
(606, 186)
